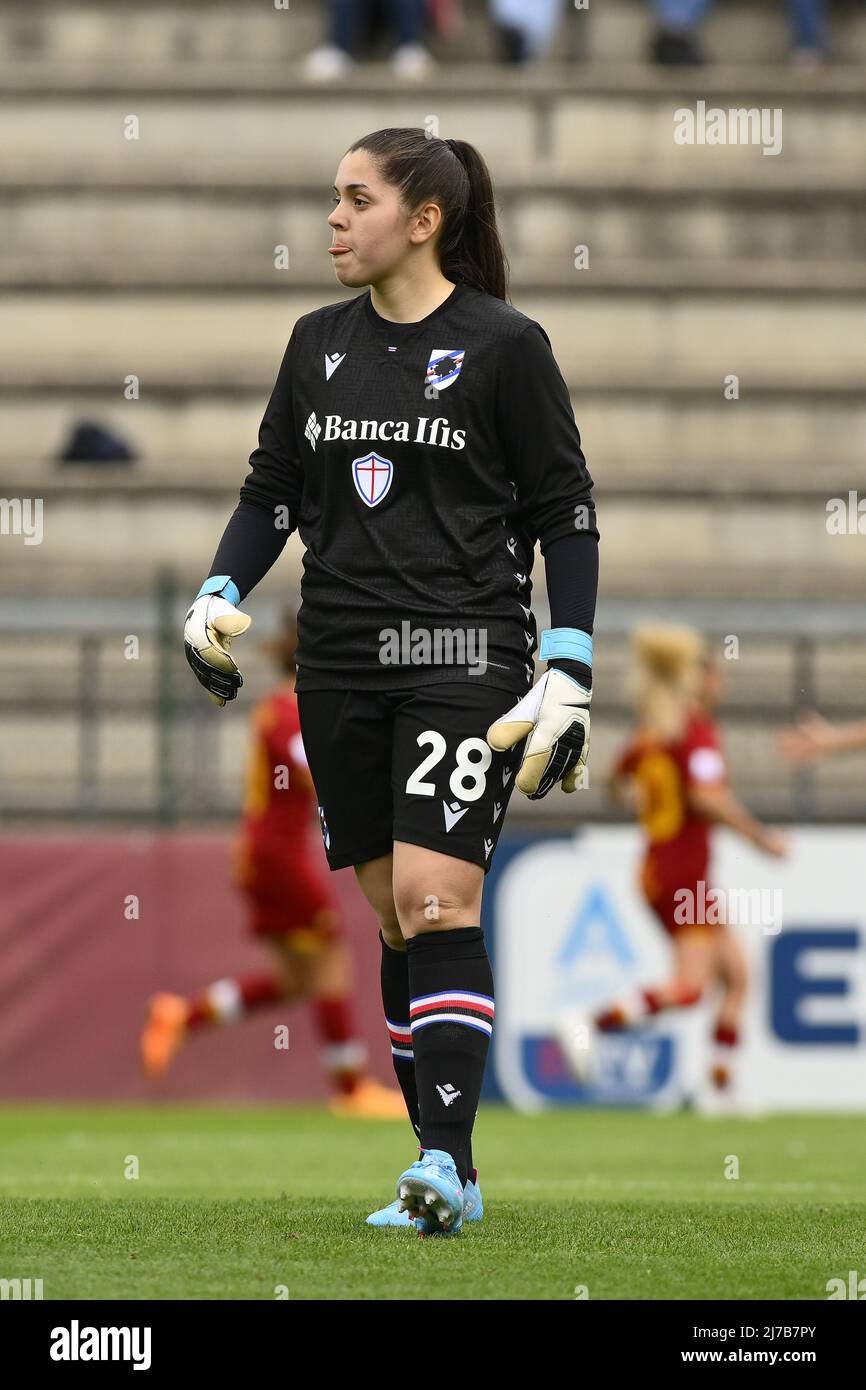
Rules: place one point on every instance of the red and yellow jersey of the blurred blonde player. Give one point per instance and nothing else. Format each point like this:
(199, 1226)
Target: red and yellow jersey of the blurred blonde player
(664, 775)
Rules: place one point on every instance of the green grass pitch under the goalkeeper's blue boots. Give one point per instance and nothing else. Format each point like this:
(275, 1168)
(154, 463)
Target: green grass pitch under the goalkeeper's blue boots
(238, 1203)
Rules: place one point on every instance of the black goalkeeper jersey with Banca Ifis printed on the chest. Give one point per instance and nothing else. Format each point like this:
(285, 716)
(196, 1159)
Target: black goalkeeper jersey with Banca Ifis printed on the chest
(420, 464)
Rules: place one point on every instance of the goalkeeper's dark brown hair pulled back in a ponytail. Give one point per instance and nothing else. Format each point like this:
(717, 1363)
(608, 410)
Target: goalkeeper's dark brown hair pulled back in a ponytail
(455, 176)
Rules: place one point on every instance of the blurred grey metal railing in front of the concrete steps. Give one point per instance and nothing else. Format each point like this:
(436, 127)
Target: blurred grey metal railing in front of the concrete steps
(104, 722)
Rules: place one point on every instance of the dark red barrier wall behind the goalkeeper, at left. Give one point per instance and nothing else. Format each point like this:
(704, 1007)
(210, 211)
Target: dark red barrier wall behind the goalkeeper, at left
(76, 974)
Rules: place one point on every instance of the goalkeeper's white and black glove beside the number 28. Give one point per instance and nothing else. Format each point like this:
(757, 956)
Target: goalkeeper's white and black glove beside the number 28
(555, 715)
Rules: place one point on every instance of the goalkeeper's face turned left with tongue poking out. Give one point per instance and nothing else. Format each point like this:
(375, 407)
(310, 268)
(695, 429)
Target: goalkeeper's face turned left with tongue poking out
(370, 220)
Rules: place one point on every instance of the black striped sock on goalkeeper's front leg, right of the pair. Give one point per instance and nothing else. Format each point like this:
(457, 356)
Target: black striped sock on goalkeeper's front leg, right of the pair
(451, 988)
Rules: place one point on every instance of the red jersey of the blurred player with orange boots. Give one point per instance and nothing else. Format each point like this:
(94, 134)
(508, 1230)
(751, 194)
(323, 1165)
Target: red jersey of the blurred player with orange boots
(280, 799)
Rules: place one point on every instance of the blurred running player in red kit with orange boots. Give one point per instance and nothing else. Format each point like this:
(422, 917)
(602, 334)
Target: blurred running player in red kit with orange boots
(281, 871)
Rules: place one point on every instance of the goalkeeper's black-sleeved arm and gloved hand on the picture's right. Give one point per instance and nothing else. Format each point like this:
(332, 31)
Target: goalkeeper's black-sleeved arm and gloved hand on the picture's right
(547, 462)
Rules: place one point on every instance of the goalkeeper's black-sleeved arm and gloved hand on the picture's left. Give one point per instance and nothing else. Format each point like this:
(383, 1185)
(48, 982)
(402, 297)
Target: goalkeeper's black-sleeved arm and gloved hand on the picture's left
(254, 540)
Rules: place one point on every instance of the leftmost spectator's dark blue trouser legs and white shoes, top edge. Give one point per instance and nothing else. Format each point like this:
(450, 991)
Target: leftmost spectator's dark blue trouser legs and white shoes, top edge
(352, 24)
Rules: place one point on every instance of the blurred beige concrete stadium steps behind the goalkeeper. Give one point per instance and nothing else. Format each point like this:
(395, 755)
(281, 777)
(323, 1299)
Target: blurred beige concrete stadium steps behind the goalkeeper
(155, 259)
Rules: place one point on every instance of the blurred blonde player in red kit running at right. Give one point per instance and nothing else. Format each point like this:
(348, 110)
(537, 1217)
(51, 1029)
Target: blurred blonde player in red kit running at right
(673, 776)
